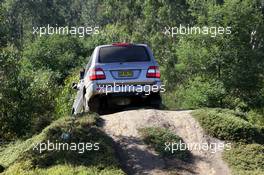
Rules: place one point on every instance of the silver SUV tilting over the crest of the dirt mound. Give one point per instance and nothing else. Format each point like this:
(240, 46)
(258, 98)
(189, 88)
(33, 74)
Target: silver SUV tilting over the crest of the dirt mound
(116, 75)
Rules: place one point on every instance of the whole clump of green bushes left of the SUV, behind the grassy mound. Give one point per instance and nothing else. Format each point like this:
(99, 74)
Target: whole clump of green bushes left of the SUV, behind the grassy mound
(31, 83)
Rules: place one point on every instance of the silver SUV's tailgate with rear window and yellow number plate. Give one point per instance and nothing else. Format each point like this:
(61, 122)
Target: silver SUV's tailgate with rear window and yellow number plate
(124, 62)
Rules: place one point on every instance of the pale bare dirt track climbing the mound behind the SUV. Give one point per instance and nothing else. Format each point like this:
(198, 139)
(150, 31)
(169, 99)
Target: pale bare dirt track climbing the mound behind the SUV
(139, 159)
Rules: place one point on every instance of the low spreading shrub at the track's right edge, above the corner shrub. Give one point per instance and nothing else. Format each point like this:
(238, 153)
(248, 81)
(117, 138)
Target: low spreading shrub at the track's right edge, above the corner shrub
(227, 125)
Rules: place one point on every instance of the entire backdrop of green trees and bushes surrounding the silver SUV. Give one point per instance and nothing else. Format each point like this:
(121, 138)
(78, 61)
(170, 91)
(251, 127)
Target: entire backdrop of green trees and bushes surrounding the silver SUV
(198, 70)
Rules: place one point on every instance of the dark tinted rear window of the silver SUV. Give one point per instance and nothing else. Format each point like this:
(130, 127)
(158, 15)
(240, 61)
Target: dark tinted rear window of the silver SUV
(112, 54)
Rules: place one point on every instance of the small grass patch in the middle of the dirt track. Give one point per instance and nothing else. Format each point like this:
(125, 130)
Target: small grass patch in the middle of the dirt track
(157, 137)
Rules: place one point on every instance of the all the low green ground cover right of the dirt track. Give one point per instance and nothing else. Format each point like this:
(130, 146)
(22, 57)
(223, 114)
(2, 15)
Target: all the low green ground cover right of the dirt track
(246, 156)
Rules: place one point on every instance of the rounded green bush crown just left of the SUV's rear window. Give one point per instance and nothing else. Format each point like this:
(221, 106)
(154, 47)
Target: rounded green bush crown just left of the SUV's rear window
(57, 53)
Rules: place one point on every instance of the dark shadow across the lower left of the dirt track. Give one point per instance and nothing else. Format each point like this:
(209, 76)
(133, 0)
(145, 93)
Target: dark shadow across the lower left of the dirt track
(136, 159)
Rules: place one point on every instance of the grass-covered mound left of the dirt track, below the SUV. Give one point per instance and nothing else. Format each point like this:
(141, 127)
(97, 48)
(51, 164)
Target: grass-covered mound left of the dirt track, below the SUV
(20, 158)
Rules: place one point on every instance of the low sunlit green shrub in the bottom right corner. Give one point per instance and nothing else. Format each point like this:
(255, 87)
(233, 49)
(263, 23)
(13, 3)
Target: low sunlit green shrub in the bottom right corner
(245, 159)
